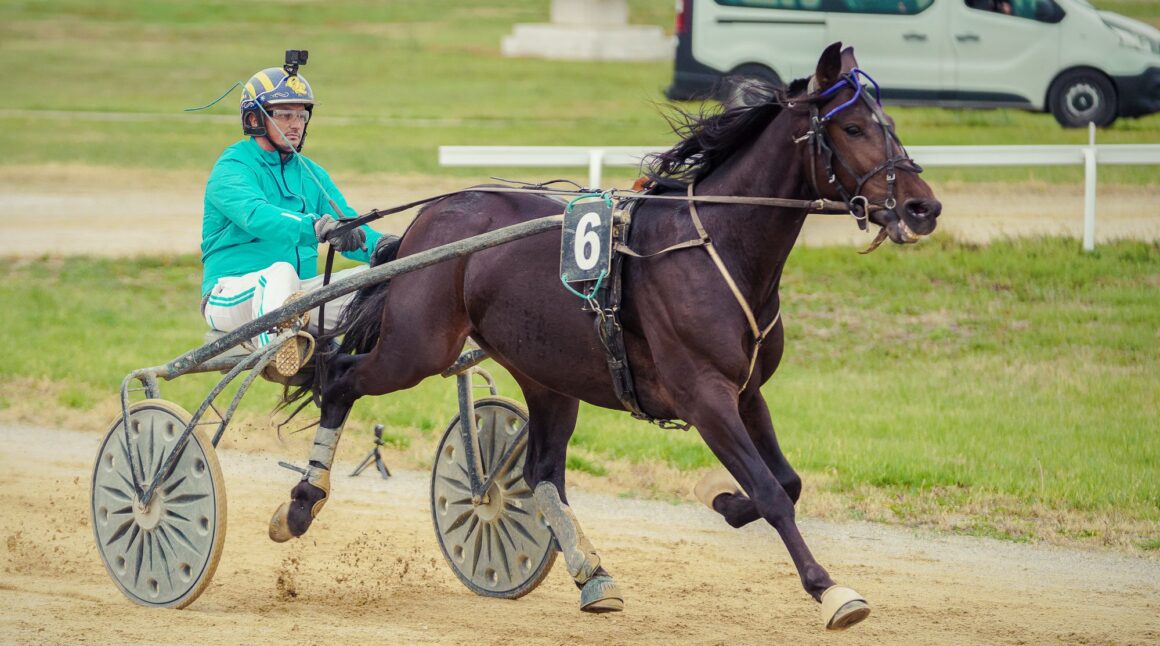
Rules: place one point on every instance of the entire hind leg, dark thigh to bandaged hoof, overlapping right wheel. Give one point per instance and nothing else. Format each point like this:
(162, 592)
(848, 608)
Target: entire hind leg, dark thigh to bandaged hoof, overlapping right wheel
(552, 420)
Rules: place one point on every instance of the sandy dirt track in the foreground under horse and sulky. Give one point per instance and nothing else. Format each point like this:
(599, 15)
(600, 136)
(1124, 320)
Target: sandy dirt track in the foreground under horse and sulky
(372, 572)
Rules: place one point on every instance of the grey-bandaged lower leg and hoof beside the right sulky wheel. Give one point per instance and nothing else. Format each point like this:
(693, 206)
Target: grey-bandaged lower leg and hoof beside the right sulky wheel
(599, 592)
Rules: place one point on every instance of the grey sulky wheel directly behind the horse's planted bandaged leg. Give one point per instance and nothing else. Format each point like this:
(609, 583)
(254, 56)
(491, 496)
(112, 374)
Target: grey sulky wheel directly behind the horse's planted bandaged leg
(501, 548)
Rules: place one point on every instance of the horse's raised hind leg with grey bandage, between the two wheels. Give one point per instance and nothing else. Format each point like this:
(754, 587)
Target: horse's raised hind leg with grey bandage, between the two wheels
(308, 498)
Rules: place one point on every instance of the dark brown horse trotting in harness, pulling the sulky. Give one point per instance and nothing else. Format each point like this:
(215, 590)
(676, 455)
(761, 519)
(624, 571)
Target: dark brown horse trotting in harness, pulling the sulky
(699, 347)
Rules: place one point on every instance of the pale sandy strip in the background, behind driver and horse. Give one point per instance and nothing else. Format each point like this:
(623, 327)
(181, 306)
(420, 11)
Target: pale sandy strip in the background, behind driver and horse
(69, 211)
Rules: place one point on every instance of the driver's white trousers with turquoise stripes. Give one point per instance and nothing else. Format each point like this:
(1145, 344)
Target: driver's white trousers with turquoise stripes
(236, 301)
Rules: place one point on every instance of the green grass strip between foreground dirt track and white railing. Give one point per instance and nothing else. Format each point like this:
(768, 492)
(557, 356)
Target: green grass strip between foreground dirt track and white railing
(1026, 371)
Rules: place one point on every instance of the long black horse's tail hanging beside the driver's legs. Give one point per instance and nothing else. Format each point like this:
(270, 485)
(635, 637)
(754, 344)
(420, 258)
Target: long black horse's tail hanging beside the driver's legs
(356, 333)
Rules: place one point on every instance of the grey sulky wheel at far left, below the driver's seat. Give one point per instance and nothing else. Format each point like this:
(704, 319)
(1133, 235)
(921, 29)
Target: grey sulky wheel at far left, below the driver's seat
(162, 556)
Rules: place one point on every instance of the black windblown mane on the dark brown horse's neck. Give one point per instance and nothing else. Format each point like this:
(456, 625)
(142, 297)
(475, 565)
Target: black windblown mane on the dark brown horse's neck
(712, 135)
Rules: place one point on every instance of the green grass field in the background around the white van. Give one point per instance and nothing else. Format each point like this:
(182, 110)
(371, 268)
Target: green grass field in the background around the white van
(411, 75)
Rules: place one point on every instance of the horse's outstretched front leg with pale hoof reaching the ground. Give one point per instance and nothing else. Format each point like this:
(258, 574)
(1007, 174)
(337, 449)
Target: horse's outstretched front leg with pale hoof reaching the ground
(716, 415)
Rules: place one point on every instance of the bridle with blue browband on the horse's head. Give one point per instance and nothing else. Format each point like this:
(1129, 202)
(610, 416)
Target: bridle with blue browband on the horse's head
(821, 146)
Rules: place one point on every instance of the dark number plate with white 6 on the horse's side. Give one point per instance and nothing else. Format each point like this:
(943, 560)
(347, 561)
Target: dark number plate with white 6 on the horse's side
(586, 249)
